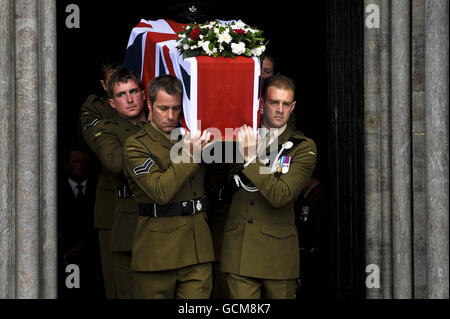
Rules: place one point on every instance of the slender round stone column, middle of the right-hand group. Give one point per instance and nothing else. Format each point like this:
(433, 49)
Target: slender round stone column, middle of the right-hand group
(401, 149)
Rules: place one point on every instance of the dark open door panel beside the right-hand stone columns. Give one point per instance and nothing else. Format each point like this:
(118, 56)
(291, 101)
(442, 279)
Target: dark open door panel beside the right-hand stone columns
(345, 36)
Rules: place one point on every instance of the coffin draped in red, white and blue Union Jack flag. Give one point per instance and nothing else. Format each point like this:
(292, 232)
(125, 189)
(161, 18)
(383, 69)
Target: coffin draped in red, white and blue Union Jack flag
(220, 93)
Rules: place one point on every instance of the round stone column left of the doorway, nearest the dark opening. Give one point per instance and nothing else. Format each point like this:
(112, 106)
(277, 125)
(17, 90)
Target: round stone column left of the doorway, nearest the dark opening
(48, 149)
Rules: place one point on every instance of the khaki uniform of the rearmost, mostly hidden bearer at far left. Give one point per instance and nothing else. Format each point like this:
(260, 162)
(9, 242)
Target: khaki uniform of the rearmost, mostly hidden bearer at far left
(96, 108)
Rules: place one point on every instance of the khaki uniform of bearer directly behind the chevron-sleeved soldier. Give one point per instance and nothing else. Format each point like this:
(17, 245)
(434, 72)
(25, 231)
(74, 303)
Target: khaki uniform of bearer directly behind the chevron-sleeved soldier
(109, 137)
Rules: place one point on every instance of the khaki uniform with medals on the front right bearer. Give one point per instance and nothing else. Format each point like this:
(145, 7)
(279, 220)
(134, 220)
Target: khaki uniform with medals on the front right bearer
(260, 239)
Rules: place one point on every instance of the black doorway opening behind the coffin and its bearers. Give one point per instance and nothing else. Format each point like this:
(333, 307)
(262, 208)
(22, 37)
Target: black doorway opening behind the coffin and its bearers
(318, 44)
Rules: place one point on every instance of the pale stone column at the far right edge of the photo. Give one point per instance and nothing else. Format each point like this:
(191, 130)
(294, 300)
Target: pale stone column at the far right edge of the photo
(437, 173)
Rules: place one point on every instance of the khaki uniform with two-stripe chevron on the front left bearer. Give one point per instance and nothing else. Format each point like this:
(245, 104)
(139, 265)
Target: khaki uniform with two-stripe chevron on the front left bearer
(166, 243)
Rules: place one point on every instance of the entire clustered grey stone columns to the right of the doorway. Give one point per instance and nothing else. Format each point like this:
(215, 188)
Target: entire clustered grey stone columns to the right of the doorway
(406, 118)
